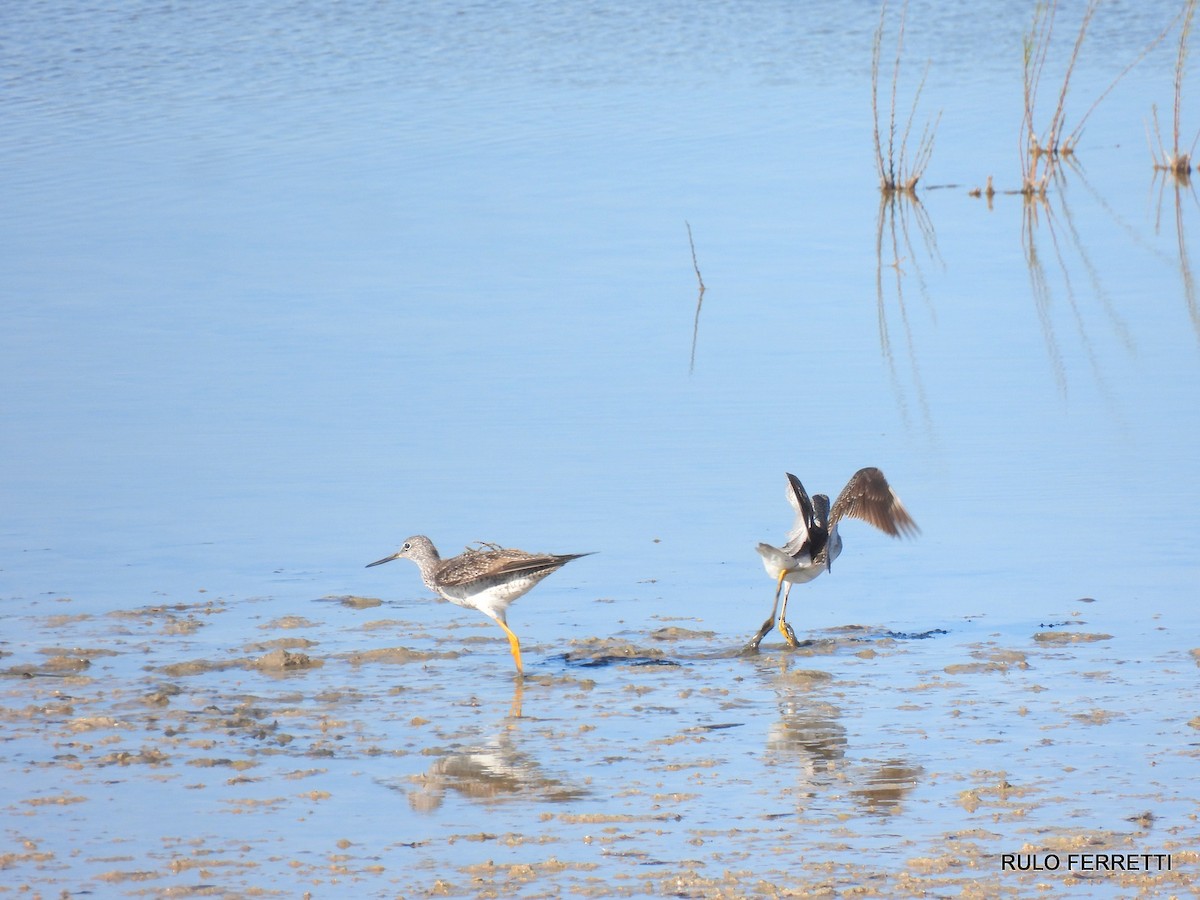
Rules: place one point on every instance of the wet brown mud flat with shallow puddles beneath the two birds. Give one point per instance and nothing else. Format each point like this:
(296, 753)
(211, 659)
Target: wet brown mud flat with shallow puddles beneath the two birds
(231, 748)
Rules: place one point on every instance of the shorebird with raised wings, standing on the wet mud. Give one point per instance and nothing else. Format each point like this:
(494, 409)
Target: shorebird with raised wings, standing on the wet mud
(814, 543)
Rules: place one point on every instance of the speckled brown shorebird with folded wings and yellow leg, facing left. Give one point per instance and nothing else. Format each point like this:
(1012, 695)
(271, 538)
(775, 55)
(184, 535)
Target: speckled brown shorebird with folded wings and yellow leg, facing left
(488, 580)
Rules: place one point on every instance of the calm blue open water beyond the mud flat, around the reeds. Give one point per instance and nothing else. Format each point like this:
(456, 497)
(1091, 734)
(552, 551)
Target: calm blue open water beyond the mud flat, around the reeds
(286, 285)
